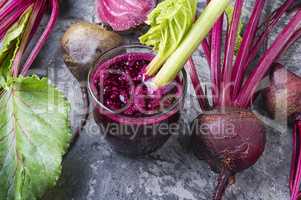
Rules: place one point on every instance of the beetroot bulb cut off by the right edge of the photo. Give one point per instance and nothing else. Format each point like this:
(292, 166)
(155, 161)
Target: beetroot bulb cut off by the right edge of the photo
(283, 97)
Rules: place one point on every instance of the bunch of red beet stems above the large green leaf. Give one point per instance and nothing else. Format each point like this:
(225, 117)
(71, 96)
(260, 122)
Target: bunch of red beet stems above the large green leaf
(10, 13)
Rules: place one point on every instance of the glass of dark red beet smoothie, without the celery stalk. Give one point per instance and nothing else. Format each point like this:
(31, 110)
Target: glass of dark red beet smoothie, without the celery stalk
(135, 118)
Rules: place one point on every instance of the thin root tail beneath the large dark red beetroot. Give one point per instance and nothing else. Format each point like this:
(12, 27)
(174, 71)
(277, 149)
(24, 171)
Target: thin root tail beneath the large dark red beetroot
(222, 184)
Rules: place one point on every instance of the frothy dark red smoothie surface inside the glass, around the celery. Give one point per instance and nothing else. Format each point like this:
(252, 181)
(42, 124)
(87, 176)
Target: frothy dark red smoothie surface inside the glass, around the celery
(122, 87)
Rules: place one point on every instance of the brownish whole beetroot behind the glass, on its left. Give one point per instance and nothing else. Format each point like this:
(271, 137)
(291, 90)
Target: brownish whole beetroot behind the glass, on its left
(83, 43)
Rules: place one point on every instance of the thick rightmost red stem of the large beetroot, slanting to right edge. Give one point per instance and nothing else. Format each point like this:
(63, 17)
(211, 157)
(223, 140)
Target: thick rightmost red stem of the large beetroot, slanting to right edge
(266, 61)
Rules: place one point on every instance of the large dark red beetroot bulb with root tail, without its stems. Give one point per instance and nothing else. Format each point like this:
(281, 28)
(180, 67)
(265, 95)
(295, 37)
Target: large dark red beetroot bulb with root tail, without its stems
(230, 140)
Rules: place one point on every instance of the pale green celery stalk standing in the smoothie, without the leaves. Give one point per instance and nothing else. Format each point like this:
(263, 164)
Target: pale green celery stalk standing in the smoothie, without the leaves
(196, 35)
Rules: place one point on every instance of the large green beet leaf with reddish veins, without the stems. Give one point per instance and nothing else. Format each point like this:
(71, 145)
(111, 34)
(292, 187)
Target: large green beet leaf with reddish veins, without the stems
(34, 135)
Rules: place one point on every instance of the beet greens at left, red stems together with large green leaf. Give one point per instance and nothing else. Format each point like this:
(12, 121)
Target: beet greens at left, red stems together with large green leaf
(34, 122)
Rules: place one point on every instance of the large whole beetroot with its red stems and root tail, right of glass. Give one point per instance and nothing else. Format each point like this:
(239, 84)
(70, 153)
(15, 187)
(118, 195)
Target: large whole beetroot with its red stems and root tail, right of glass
(230, 138)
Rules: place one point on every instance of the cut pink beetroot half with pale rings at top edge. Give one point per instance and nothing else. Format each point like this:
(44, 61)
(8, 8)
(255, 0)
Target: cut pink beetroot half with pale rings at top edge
(123, 15)
